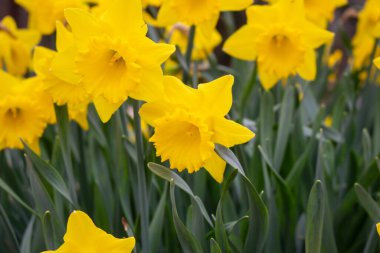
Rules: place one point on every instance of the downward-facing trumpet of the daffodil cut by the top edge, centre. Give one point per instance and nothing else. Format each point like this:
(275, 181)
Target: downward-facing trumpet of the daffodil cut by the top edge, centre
(196, 11)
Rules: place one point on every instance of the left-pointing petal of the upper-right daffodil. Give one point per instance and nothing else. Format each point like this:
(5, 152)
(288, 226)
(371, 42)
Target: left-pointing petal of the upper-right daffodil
(242, 44)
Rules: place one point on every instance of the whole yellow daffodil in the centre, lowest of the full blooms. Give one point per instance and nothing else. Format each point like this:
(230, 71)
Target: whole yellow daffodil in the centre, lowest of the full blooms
(189, 122)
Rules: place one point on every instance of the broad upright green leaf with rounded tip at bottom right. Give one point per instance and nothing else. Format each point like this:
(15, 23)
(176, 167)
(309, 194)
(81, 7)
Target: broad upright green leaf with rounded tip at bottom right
(315, 218)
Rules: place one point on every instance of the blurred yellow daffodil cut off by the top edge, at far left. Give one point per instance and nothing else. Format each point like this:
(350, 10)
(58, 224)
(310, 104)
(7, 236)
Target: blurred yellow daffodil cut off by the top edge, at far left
(44, 13)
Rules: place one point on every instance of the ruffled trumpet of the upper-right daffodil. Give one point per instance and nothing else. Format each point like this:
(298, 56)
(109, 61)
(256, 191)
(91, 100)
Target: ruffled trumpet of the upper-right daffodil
(280, 51)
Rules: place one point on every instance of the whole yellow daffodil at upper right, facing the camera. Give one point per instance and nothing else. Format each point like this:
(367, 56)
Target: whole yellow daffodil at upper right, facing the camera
(283, 44)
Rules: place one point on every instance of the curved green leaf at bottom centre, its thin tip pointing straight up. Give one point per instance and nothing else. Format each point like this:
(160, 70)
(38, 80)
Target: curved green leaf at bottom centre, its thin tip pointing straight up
(188, 241)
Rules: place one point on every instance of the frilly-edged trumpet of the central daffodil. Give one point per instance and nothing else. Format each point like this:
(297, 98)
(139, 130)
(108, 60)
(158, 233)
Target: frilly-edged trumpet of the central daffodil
(184, 140)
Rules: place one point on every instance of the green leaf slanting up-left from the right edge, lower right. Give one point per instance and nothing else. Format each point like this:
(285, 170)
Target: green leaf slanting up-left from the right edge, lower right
(368, 203)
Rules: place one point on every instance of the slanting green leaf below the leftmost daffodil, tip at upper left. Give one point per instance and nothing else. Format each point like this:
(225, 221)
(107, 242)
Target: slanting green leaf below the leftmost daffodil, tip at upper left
(49, 173)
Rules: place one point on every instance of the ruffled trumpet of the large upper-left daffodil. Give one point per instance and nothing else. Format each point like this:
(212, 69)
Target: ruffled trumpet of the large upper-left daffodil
(106, 71)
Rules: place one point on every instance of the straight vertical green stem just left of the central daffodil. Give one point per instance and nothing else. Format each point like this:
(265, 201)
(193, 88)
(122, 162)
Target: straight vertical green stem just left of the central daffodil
(141, 180)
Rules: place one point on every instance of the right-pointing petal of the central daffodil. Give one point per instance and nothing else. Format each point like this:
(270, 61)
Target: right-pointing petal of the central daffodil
(229, 133)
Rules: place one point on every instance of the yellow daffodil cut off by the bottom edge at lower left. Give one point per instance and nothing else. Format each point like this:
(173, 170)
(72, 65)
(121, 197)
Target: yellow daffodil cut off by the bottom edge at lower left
(82, 236)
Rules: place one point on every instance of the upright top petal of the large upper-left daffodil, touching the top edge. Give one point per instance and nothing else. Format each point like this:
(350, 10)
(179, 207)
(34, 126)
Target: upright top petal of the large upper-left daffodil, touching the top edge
(130, 23)
